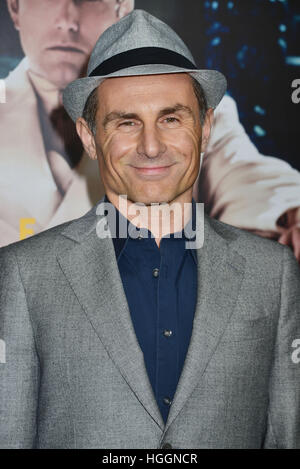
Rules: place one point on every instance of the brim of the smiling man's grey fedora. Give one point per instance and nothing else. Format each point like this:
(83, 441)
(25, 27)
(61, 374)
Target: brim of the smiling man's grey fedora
(75, 95)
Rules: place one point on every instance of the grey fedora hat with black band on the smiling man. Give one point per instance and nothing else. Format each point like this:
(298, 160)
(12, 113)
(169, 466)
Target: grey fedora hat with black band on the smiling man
(139, 44)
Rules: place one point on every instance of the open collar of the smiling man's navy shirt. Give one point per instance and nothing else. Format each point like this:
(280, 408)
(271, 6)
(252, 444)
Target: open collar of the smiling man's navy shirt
(120, 242)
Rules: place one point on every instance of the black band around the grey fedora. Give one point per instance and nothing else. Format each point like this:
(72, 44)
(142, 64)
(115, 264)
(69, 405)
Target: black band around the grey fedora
(142, 56)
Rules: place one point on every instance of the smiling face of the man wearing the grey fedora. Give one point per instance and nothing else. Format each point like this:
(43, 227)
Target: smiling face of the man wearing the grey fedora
(148, 137)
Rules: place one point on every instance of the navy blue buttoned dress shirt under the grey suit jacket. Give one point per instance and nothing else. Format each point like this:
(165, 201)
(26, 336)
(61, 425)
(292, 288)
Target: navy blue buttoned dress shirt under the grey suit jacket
(160, 285)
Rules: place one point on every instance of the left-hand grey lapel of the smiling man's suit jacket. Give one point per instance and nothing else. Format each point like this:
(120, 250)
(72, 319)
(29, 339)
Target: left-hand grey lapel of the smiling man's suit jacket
(92, 271)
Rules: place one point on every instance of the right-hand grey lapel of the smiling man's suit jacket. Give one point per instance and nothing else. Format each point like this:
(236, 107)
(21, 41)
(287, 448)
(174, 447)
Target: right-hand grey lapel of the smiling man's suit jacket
(220, 274)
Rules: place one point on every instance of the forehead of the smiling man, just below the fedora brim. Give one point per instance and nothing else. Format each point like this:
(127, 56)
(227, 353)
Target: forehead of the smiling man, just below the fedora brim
(136, 91)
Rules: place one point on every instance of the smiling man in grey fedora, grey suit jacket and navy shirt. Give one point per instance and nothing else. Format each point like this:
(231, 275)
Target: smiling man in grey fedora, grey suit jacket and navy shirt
(152, 339)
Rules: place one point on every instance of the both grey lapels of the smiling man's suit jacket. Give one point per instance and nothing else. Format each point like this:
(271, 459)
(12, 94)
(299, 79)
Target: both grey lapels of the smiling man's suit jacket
(92, 271)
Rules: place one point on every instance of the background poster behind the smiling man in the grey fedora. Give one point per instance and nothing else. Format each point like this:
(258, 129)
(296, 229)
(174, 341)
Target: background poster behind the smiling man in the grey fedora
(45, 180)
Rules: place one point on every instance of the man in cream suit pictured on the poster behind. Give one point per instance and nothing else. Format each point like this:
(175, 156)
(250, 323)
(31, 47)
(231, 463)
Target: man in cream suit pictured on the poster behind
(258, 193)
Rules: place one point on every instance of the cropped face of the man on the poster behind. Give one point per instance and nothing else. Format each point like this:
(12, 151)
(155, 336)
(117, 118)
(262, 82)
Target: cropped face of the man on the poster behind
(58, 36)
